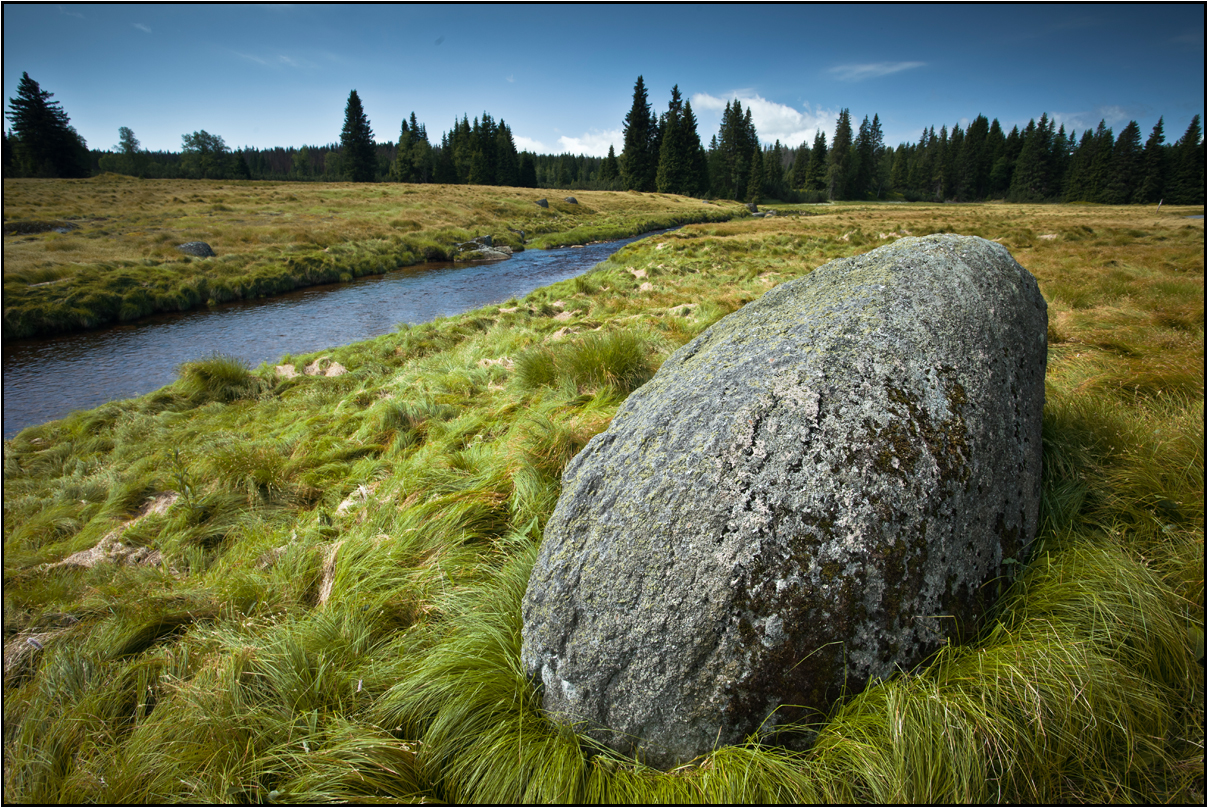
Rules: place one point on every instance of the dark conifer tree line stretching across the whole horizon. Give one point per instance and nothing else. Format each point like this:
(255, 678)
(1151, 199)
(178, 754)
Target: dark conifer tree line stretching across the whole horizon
(664, 153)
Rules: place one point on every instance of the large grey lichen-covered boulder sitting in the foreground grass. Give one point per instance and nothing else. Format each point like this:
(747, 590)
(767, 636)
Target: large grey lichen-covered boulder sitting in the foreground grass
(816, 493)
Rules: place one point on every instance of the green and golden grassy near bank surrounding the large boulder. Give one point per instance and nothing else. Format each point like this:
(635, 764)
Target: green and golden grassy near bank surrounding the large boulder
(251, 589)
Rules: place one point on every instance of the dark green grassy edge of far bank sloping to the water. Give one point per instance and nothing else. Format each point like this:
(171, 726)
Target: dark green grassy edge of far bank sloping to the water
(89, 301)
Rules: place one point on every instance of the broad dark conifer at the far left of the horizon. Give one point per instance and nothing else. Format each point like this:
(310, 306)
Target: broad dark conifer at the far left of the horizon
(45, 144)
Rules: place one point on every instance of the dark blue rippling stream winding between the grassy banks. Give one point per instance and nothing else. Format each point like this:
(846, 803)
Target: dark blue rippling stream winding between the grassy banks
(48, 379)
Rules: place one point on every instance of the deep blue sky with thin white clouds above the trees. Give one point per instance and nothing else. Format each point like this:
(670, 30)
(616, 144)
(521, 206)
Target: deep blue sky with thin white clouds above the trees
(562, 75)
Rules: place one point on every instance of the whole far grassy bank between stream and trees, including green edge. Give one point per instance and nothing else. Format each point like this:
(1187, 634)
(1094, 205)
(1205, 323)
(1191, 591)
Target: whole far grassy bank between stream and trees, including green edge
(82, 254)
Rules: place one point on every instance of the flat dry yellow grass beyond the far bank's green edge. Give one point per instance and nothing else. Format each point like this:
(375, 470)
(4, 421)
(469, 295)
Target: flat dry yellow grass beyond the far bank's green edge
(126, 219)
